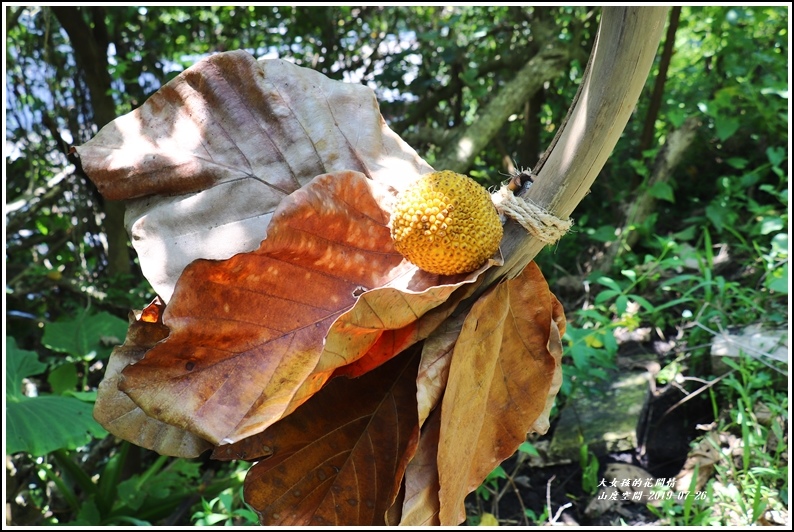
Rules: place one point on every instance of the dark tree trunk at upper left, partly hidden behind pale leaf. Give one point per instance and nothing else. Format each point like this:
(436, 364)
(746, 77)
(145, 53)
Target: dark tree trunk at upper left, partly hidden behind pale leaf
(90, 50)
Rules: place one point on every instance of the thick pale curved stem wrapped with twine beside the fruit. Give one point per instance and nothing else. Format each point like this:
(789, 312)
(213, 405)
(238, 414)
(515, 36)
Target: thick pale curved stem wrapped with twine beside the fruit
(625, 47)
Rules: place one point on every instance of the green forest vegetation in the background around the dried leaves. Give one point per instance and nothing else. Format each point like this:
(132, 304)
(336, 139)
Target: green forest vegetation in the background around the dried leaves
(699, 247)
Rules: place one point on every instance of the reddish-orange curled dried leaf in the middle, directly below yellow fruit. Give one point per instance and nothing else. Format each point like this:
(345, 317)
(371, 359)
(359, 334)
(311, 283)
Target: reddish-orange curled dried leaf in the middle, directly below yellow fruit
(248, 335)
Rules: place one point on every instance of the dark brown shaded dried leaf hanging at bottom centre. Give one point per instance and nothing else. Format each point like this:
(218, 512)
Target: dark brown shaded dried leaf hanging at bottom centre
(339, 458)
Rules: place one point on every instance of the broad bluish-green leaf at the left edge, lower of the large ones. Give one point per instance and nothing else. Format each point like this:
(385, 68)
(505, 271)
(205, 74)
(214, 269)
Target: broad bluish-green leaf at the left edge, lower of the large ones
(40, 425)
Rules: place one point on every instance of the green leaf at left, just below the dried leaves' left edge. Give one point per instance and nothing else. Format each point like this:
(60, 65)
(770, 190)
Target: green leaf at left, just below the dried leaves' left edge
(88, 336)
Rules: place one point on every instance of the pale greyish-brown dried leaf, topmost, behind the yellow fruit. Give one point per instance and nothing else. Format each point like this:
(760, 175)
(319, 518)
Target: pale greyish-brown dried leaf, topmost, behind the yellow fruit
(212, 153)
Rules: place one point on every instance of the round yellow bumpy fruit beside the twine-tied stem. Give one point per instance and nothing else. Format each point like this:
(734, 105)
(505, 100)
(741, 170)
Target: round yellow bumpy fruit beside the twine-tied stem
(445, 223)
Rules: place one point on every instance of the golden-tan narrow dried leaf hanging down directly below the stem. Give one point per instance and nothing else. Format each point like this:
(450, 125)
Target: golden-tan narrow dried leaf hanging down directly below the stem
(499, 381)
